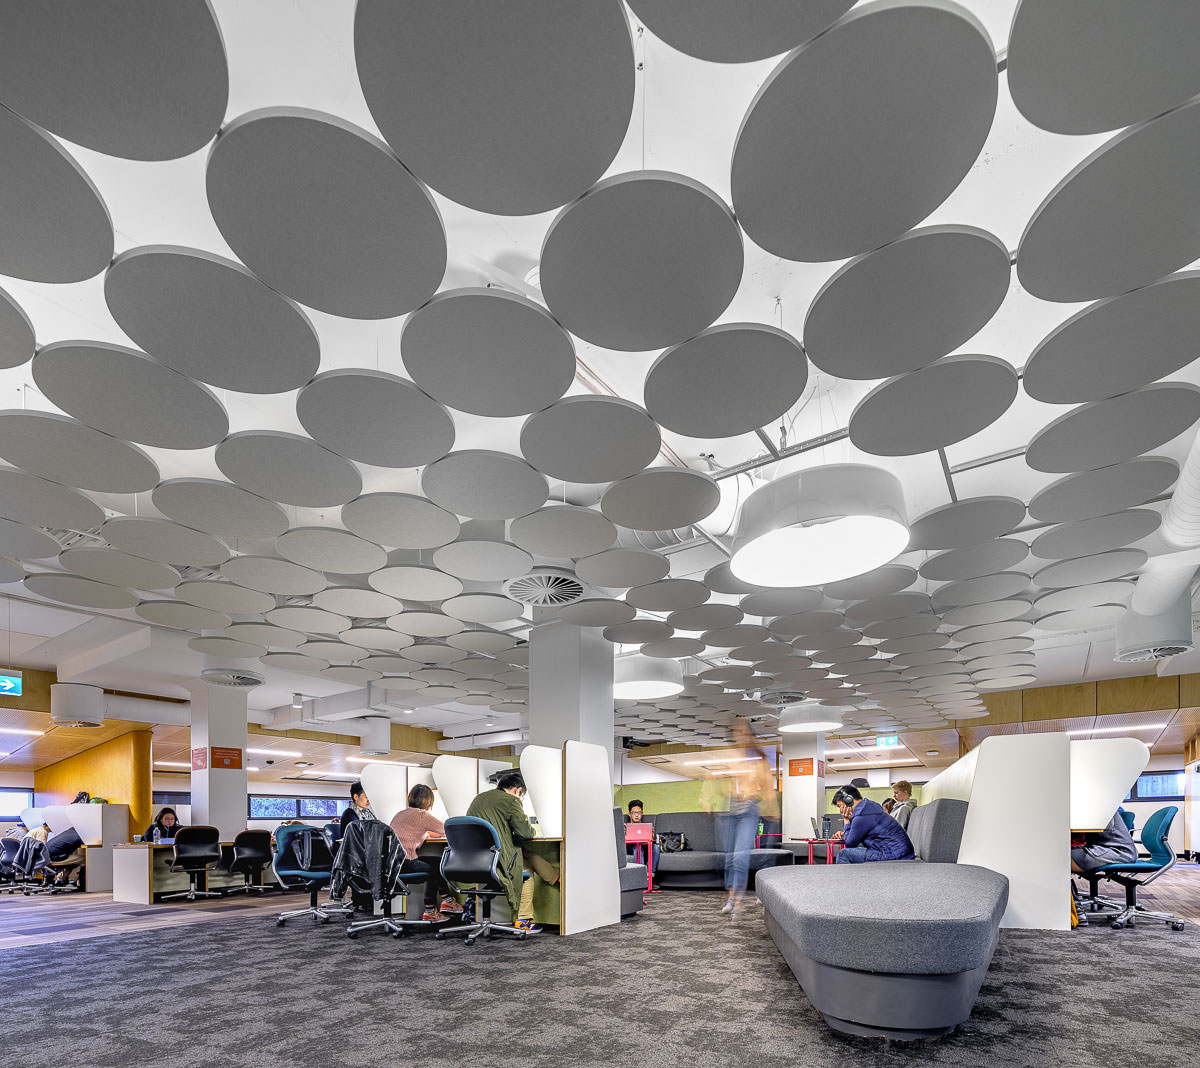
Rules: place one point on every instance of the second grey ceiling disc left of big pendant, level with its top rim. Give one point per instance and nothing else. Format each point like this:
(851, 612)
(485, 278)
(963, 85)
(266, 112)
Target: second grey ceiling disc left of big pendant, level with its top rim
(485, 485)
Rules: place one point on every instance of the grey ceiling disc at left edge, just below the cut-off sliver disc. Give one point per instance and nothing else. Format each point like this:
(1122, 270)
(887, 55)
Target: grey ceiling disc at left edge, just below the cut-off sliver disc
(59, 449)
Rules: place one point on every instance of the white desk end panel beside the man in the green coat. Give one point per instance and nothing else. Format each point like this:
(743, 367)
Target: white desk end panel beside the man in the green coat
(591, 885)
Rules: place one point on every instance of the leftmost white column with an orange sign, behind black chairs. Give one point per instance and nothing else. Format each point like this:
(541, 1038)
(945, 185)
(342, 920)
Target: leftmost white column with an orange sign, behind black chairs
(219, 794)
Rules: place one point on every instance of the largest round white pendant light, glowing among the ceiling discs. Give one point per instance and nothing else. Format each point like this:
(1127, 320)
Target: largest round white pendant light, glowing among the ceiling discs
(823, 525)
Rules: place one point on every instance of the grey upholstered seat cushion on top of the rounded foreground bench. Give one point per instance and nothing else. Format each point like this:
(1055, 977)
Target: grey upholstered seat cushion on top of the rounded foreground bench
(933, 920)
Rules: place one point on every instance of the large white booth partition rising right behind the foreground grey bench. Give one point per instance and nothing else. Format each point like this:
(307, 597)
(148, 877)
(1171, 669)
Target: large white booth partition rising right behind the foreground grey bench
(1018, 791)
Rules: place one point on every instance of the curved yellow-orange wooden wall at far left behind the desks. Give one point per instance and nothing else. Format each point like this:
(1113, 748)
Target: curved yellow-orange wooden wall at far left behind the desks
(118, 771)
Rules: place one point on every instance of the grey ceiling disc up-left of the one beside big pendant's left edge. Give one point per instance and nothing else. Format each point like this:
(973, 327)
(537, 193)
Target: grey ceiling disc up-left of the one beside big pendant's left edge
(591, 440)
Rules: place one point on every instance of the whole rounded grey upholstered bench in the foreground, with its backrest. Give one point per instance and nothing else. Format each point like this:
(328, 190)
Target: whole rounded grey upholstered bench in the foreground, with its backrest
(895, 950)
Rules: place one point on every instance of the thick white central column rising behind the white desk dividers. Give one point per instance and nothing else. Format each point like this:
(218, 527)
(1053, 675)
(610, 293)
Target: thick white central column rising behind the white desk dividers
(571, 687)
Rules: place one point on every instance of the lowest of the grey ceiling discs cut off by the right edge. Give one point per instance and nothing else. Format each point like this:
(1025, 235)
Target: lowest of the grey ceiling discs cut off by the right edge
(1117, 430)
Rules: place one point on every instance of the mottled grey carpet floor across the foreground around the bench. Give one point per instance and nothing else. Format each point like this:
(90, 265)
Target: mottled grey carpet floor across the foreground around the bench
(679, 986)
